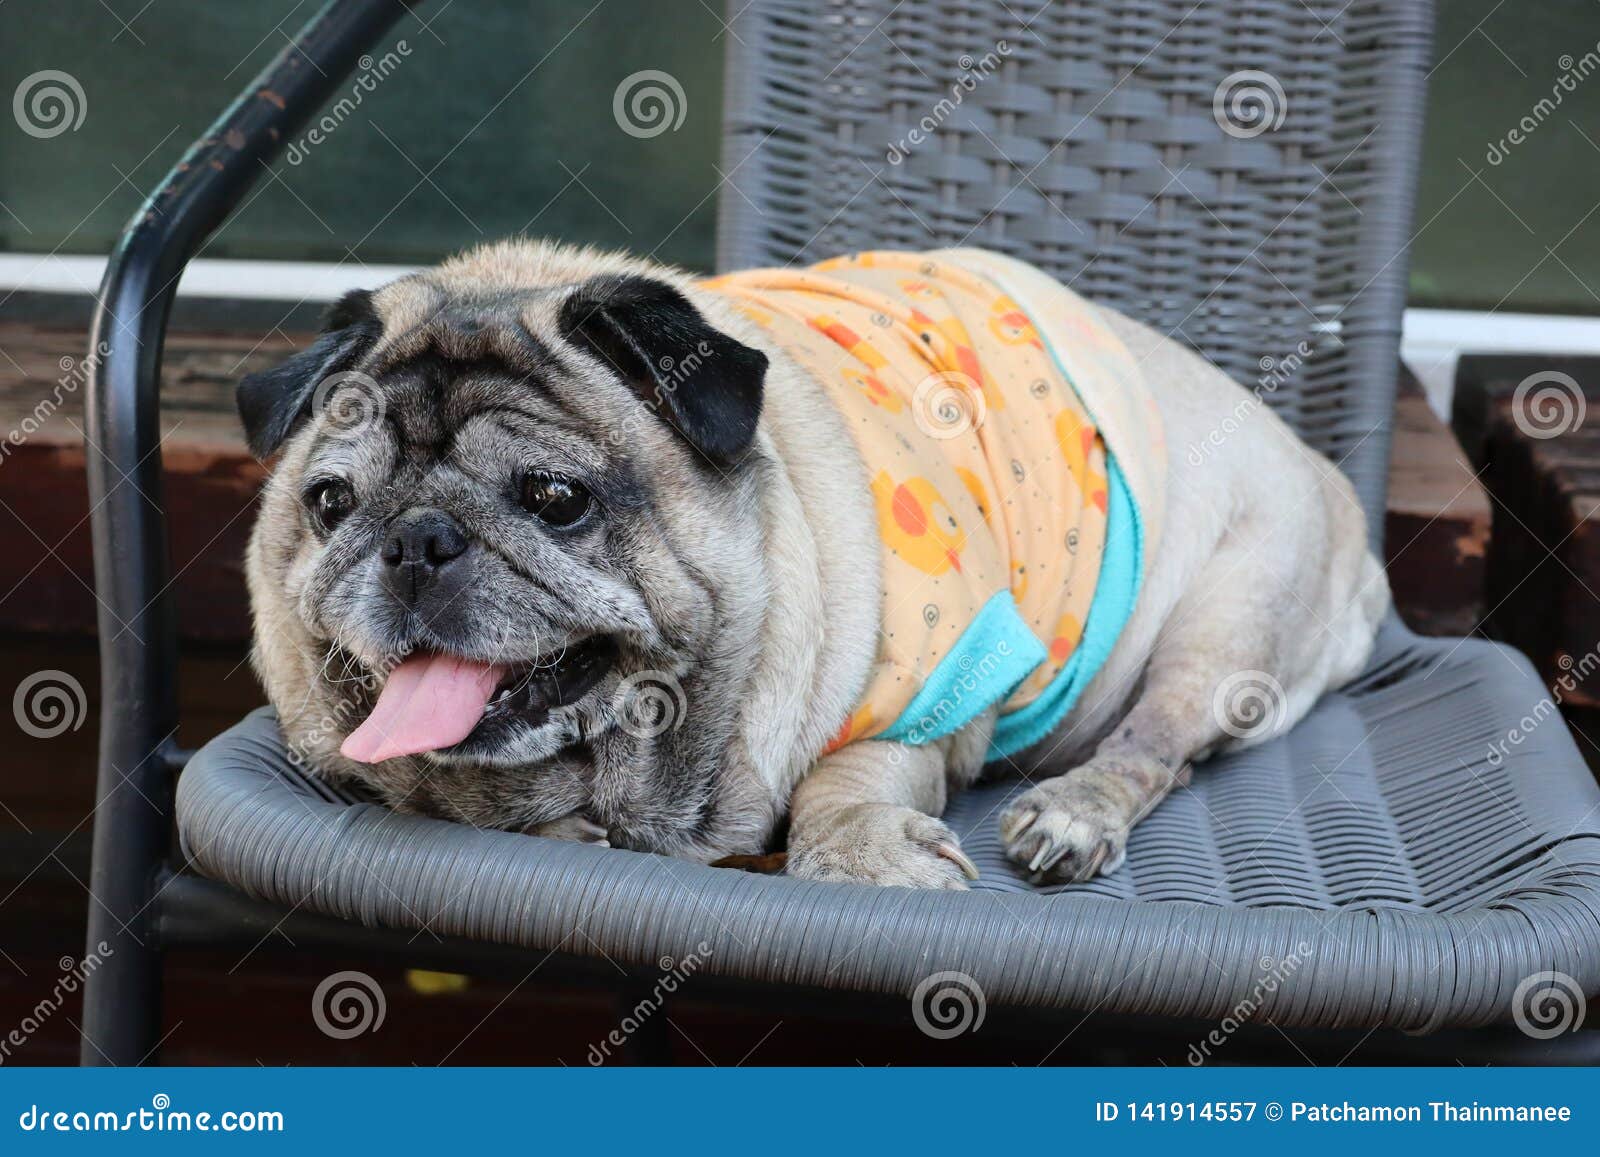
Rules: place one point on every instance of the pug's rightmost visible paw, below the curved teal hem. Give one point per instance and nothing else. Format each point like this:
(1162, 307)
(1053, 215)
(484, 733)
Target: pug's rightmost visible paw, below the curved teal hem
(1070, 828)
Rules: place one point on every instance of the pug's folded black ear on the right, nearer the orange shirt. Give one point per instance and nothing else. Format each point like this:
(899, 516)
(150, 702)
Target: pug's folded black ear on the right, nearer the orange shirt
(702, 382)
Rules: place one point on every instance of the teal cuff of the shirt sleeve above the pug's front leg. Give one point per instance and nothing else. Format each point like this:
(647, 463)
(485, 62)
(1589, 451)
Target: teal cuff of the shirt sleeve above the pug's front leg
(988, 663)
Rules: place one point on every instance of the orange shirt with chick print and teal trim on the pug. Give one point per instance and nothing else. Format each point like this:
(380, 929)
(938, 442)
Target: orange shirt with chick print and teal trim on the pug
(999, 471)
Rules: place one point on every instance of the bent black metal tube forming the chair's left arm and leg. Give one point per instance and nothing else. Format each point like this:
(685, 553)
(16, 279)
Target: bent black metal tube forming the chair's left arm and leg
(138, 631)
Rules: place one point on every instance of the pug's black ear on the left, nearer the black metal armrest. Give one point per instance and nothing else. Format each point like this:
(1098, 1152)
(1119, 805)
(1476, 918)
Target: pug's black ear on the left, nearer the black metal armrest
(273, 402)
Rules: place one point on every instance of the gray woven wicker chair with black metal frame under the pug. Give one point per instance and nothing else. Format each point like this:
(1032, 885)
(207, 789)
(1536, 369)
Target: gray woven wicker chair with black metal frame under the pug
(1412, 847)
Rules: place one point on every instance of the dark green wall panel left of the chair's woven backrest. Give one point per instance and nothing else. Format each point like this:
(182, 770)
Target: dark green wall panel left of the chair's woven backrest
(550, 159)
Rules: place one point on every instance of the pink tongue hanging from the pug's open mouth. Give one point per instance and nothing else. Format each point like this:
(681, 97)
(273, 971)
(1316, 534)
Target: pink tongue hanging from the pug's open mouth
(431, 702)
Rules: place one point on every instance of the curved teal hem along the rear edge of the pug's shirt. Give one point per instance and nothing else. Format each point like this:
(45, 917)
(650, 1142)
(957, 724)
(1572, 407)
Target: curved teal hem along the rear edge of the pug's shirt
(1116, 593)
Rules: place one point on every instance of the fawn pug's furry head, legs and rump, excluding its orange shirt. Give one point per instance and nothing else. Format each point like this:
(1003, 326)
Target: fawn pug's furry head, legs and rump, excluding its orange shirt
(569, 543)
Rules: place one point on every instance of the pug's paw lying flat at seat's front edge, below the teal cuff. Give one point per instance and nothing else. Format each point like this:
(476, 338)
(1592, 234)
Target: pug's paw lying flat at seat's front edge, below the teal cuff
(882, 844)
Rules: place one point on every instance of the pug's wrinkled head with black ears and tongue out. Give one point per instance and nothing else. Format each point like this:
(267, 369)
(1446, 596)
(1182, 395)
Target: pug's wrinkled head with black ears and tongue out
(502, 572)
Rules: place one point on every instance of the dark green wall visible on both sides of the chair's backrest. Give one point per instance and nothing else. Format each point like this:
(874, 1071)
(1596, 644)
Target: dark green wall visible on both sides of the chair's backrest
(412, 174)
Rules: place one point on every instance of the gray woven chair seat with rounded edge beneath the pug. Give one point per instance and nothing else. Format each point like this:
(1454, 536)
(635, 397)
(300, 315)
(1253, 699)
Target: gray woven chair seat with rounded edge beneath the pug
(1406, 857)
